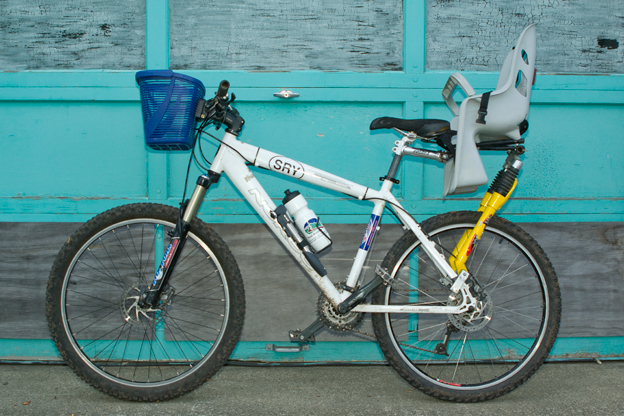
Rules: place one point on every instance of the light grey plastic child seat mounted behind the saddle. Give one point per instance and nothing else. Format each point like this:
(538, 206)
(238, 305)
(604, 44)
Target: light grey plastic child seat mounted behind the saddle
(507, 107)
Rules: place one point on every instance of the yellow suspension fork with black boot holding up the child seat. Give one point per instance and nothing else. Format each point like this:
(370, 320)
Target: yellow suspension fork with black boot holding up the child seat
(494, 199)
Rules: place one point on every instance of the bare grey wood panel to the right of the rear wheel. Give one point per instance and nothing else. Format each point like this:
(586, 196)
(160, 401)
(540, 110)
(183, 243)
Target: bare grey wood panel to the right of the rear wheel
(588, 260)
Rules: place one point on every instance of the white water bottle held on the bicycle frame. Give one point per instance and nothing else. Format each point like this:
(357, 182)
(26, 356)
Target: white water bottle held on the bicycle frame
(306, 221)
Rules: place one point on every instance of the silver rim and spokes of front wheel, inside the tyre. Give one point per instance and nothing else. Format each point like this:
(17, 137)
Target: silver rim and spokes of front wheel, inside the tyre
(143, 348)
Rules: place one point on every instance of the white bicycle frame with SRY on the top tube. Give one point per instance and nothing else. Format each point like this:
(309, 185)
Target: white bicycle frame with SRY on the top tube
(231, 159)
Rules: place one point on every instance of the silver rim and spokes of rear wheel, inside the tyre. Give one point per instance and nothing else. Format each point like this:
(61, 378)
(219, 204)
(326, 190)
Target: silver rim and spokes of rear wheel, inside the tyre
(479, 355)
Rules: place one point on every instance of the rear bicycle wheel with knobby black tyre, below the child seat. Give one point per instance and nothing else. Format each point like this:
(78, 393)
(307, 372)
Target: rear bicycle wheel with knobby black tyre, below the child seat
(481, 354)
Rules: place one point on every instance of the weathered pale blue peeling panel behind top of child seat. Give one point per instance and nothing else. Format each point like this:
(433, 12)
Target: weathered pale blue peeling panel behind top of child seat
(574, 36)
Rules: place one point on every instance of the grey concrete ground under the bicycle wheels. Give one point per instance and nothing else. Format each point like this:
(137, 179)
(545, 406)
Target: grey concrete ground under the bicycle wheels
(556, 389)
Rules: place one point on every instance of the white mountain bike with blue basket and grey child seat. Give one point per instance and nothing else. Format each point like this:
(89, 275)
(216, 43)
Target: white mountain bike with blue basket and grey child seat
(146, 302)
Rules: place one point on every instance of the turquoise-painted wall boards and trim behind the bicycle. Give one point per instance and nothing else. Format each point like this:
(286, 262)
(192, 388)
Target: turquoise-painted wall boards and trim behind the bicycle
(73, 143)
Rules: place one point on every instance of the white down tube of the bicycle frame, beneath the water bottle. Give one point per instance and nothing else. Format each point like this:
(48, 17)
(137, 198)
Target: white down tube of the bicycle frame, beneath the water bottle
(247, 184)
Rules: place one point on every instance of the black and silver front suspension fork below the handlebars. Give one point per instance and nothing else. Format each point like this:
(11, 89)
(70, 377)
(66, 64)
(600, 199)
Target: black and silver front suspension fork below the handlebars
(188, 211)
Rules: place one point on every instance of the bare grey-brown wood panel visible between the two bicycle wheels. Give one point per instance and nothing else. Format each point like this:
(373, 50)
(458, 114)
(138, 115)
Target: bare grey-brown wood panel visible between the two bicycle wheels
(280, 297)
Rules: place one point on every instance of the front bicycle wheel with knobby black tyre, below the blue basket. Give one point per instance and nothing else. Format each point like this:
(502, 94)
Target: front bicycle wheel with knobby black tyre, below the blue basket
(137, 352)
